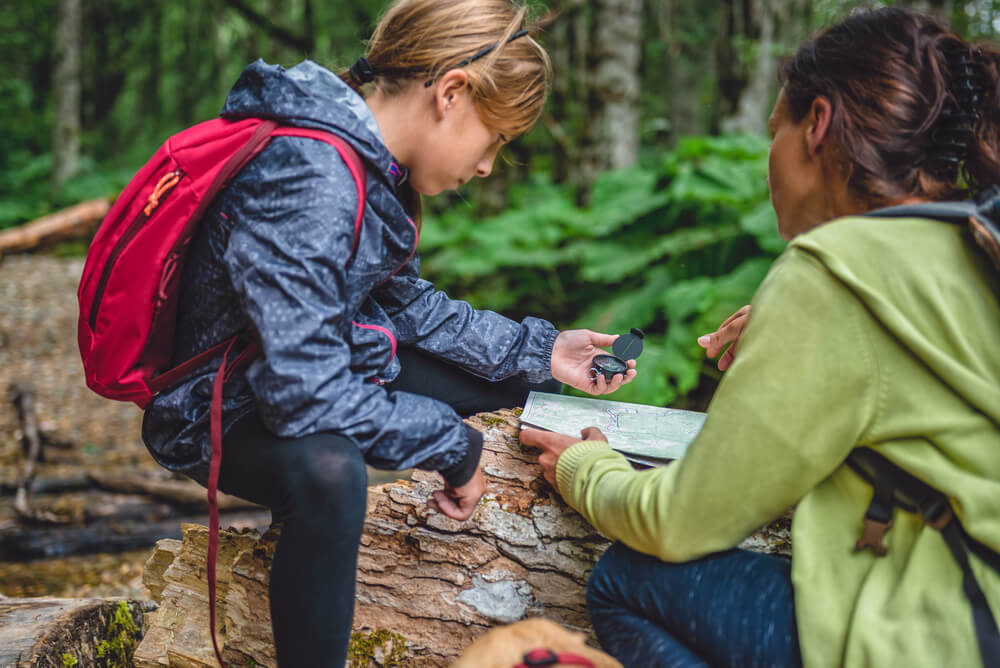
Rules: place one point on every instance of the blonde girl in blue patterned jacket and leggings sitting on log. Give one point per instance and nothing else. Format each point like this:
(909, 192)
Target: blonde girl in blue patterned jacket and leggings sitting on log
(362, 361)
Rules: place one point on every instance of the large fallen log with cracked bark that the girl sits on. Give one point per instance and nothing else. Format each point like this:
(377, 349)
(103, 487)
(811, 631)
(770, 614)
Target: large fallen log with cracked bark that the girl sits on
(427, 585)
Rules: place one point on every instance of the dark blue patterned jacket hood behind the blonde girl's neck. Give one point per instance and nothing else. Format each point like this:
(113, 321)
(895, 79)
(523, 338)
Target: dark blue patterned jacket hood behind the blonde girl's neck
(308, 95)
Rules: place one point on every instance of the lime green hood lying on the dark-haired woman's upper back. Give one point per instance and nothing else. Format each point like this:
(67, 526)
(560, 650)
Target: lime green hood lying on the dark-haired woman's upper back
(923, 282)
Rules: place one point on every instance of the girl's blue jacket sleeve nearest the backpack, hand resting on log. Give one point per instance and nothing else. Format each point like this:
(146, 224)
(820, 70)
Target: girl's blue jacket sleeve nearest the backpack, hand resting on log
(285, 258)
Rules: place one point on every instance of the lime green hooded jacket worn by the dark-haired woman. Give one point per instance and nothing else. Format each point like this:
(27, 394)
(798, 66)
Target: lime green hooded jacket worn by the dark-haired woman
(875, 332)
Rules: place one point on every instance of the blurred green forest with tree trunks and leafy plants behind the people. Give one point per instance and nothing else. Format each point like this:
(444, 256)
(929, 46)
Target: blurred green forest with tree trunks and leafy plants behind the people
(639, 200)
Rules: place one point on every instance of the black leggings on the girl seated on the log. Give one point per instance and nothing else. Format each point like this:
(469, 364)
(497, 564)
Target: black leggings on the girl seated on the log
(317, 486)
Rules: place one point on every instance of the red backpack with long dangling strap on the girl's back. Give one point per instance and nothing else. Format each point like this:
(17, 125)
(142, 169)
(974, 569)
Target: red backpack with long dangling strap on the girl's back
(128, 291)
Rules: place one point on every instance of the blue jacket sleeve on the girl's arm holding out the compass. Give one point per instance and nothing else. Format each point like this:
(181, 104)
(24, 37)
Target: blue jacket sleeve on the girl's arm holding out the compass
(481, 342)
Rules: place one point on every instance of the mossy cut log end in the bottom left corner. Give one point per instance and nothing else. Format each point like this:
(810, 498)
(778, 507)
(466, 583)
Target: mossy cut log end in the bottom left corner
(58, 632)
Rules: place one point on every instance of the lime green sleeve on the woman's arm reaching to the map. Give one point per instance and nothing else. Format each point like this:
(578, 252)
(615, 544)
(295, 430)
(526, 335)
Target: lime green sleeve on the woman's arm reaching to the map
(798, 398)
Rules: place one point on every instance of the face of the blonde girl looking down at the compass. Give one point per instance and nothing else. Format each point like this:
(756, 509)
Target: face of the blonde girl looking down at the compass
(457, 147)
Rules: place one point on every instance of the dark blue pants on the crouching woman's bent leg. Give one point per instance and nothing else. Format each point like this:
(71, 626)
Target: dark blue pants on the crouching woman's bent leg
(733, 608)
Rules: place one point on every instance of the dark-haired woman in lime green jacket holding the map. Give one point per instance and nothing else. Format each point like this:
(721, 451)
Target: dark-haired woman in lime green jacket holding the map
(868, 331)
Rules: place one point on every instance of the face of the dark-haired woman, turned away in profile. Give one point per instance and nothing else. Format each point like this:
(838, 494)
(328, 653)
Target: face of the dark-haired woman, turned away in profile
(800, 193)
